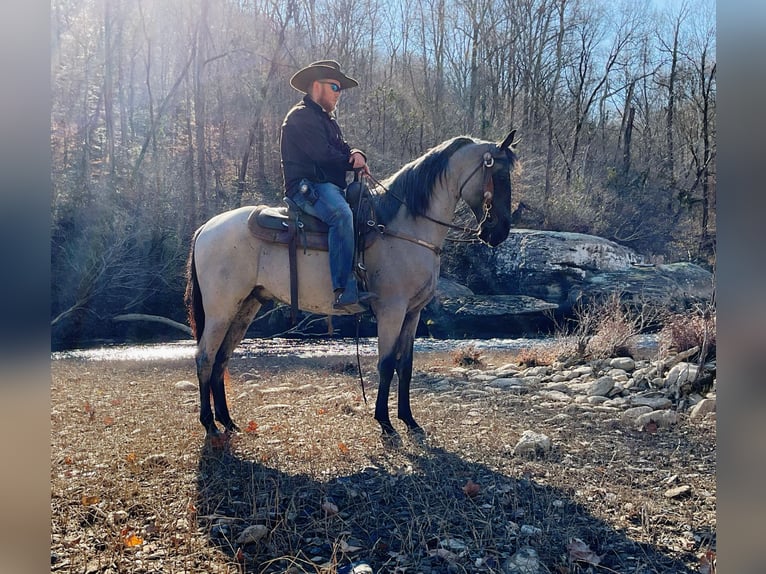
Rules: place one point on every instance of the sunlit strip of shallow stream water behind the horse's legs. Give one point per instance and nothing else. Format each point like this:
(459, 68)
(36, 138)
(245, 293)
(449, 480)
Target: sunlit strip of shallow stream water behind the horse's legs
(280, 347)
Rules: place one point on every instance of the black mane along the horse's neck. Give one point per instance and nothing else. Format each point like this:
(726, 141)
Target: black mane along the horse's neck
(413, 184)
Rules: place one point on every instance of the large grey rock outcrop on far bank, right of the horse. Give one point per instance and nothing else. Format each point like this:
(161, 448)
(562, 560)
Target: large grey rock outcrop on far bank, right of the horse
(543, 274)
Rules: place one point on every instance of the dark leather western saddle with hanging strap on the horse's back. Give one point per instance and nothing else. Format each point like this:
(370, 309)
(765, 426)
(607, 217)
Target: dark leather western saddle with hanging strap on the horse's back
(290, 225)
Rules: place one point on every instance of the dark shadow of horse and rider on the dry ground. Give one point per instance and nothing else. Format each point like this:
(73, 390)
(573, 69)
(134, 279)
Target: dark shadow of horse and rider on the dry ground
(419, 508)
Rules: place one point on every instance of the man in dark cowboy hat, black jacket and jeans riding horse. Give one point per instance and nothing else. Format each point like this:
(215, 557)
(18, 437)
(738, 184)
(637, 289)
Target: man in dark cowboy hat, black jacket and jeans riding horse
(315, 161)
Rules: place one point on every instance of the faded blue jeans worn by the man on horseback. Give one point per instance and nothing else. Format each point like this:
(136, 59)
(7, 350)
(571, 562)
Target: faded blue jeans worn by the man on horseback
(334, 210)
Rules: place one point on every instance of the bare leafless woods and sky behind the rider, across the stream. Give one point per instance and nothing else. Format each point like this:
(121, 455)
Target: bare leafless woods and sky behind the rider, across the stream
(166, 112)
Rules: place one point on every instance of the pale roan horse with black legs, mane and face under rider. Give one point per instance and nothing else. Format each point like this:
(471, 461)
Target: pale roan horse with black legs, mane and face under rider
(231, 273)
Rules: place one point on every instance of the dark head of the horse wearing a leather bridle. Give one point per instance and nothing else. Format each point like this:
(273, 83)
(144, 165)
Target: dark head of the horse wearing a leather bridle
(487, 188)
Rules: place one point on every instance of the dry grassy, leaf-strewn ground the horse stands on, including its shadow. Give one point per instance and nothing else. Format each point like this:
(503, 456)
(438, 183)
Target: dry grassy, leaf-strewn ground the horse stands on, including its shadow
(308, 486)
